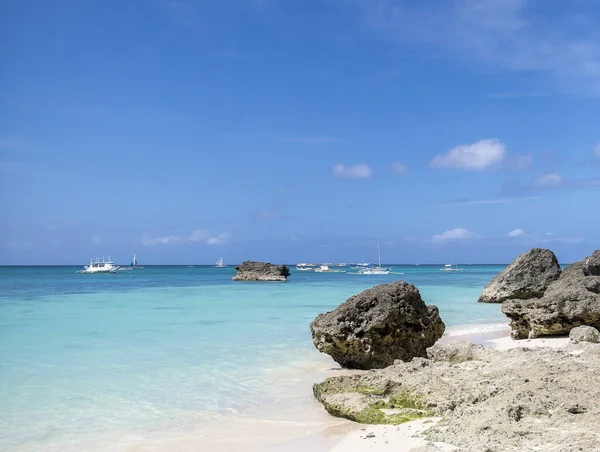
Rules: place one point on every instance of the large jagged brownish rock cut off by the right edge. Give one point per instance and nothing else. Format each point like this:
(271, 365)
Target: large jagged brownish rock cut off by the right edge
(570, 301)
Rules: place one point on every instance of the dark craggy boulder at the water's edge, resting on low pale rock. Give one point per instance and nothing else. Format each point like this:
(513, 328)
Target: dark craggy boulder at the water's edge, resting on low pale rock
(372, 329)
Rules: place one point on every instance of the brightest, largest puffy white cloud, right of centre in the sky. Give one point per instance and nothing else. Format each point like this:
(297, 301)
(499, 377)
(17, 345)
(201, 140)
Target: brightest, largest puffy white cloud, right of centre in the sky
(472, 157)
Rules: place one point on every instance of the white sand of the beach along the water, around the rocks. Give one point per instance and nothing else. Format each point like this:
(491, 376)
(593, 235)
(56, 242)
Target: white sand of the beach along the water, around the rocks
(291, 419)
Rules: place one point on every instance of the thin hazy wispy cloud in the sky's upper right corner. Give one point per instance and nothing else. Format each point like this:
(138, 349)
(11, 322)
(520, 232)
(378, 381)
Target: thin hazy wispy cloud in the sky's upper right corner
(560, 47)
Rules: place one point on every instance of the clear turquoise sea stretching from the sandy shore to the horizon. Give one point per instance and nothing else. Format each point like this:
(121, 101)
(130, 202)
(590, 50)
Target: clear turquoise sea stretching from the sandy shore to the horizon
(101, 357)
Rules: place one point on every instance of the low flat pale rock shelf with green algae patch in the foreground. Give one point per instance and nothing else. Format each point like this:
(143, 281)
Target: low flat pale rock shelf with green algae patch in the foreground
(524, 399)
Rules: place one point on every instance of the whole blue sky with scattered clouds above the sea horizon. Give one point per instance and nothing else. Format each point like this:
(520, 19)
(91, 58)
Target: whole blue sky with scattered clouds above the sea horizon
(186, 130)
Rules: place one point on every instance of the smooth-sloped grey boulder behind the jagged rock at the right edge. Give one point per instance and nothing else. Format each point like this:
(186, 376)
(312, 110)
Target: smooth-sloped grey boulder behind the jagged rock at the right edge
(526, 277)
